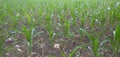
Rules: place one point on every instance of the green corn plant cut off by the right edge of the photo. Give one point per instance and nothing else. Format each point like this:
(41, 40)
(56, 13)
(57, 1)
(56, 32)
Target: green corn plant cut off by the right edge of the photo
(115, 42)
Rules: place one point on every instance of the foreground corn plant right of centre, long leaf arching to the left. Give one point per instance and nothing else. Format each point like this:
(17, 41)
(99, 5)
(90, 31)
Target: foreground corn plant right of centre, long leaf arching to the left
(94, 41)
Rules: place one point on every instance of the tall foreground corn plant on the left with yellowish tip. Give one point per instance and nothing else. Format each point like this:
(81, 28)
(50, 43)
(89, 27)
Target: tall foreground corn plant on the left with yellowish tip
(29, 33)
